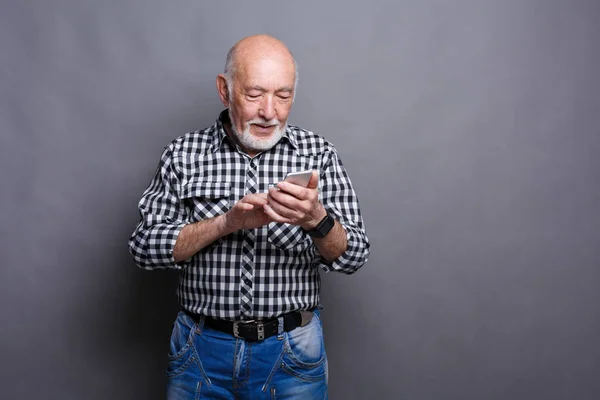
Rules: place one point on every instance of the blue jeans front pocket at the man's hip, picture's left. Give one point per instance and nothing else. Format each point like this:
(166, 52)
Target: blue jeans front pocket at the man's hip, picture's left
(181, 347)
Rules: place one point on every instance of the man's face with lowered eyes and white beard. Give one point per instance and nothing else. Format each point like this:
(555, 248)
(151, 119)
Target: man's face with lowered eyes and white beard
(260, 102)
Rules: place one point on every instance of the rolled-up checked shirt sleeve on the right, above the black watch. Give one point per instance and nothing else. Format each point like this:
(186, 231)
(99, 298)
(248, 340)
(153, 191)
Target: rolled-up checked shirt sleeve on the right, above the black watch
(340, 200)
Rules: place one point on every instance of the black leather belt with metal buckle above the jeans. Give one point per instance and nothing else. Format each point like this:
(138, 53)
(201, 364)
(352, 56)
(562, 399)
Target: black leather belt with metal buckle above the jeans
(255, 330)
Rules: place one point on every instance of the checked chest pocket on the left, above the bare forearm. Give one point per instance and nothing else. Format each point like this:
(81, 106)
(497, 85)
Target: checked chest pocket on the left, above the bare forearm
(204, 199)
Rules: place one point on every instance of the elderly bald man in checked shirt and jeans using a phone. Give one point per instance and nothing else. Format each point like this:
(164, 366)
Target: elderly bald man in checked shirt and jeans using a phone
(249, 244)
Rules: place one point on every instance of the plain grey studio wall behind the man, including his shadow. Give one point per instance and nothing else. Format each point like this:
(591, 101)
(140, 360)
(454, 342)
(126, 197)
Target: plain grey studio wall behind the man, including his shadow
(470, 130)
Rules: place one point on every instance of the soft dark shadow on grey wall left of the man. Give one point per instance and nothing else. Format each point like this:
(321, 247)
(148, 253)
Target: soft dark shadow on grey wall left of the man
(123, 315)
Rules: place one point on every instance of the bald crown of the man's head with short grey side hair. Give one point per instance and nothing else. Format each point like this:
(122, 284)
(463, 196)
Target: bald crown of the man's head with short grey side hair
(251, 50)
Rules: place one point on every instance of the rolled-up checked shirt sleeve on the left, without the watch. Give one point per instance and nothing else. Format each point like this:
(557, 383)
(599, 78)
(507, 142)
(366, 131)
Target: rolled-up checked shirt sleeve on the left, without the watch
(162, 217)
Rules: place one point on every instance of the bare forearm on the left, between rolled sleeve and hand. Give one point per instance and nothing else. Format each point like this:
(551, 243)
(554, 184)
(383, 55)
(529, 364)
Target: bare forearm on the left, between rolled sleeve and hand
(194, 237)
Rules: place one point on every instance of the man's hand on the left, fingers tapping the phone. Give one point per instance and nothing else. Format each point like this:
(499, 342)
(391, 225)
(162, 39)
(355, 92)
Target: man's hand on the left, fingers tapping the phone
(247, 213)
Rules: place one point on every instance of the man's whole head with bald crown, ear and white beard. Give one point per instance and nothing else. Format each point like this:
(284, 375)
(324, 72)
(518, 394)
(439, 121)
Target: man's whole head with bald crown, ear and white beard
(258, 86)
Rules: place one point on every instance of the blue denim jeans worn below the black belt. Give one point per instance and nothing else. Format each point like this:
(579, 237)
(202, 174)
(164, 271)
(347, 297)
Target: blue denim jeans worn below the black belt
(208, 364)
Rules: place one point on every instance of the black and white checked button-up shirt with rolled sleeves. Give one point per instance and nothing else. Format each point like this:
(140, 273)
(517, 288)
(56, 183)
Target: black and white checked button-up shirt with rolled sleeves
(276, 267)
